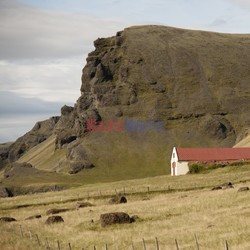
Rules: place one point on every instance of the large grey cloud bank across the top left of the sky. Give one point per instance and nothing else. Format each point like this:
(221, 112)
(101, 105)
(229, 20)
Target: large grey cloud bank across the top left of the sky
(27, 32)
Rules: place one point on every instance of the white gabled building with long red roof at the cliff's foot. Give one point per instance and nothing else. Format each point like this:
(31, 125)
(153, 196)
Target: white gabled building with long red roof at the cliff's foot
(181, 157)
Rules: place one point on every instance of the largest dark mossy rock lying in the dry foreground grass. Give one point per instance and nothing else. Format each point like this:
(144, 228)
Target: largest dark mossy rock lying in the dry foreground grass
(114, 218)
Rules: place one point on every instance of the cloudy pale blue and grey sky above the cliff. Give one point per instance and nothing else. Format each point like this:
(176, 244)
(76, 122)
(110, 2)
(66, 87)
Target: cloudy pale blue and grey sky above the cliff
(44, 45)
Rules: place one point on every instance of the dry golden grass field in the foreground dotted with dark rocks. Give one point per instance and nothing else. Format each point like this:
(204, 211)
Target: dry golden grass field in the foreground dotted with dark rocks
(174, 208)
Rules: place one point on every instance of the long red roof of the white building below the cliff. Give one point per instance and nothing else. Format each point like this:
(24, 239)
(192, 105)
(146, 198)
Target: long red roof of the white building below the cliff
(213, 154)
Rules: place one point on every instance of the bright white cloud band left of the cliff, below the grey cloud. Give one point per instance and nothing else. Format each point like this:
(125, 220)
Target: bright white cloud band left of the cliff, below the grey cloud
(52, 81)
